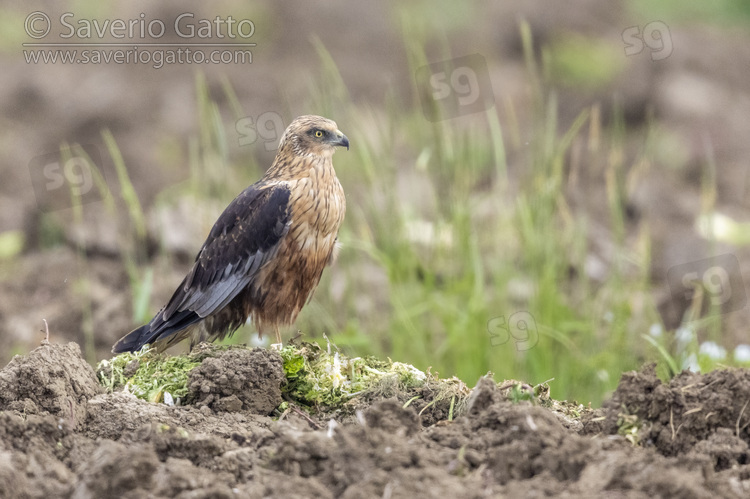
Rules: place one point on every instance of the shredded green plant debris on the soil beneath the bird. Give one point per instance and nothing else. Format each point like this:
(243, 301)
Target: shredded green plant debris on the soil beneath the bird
(317, 379)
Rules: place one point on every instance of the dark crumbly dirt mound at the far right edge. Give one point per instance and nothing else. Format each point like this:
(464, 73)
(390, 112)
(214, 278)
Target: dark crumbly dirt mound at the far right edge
(705, 414)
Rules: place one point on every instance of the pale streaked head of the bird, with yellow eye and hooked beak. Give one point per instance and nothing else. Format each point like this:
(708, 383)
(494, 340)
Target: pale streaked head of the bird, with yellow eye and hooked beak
(312, 136)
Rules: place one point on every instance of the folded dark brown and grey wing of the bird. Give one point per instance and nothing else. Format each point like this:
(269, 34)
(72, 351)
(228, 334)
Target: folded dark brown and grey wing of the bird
(245, 236)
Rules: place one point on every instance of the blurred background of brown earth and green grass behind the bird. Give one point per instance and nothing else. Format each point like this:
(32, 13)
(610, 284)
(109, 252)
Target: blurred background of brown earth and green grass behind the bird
(546, 193)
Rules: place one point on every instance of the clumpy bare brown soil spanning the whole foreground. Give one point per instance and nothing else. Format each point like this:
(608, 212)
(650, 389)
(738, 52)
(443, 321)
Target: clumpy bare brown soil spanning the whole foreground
(62, 436)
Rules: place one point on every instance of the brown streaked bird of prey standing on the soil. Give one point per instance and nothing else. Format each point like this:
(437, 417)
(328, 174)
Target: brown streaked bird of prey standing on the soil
(266, 252)
